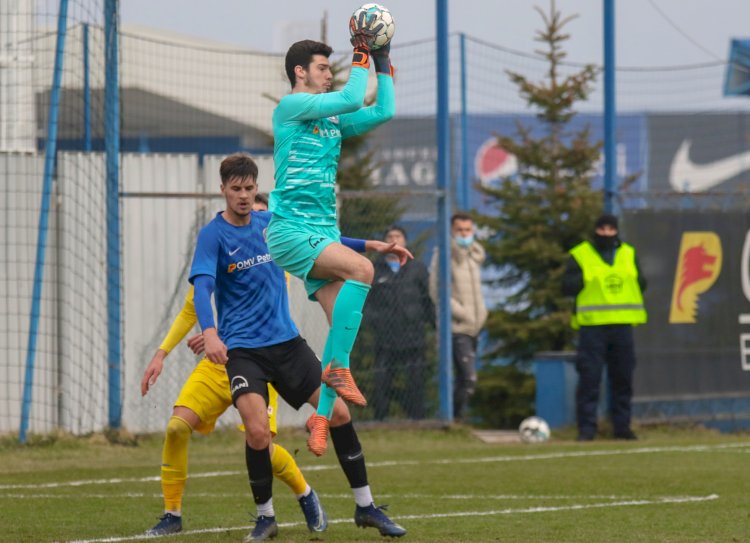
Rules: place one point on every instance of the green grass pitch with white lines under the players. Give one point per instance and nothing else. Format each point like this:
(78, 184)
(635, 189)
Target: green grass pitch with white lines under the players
(442, 485)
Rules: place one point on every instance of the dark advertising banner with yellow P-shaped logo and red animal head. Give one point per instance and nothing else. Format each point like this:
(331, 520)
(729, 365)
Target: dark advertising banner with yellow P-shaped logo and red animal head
(697, 340)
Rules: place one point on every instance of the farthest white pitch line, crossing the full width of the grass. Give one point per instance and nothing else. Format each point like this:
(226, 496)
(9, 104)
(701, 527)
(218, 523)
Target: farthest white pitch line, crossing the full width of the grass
(389, 463)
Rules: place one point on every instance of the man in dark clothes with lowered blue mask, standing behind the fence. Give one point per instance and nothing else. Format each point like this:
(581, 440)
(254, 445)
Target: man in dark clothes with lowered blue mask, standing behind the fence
(398, 309)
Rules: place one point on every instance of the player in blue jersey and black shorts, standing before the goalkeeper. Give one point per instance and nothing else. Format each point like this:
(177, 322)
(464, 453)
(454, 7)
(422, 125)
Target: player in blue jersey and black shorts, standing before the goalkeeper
(260, 344)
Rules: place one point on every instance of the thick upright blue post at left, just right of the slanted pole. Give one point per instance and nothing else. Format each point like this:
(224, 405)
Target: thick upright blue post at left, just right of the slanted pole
(112, 150)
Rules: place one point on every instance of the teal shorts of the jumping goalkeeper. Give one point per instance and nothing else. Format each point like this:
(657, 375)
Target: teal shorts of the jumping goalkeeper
(294, 247)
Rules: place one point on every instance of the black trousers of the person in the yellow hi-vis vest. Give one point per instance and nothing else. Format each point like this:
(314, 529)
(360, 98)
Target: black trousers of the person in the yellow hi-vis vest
(611, 345)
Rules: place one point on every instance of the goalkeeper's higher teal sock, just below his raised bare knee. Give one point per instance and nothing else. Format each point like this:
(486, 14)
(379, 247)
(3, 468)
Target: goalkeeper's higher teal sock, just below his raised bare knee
(345, 321)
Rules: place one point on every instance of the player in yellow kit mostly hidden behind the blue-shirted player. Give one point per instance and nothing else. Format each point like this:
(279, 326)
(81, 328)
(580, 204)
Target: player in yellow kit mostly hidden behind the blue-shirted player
(204, 398)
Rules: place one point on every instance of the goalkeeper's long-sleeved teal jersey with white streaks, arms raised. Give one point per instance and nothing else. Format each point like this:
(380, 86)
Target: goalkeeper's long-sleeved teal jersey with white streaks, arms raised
(307, 130)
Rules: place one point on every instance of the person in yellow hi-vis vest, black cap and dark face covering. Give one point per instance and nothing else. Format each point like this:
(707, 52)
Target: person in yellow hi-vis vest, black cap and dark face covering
(604, 276)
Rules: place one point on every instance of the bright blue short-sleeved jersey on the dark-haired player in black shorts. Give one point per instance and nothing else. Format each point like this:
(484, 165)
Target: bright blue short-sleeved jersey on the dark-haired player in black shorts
(251, 296)
